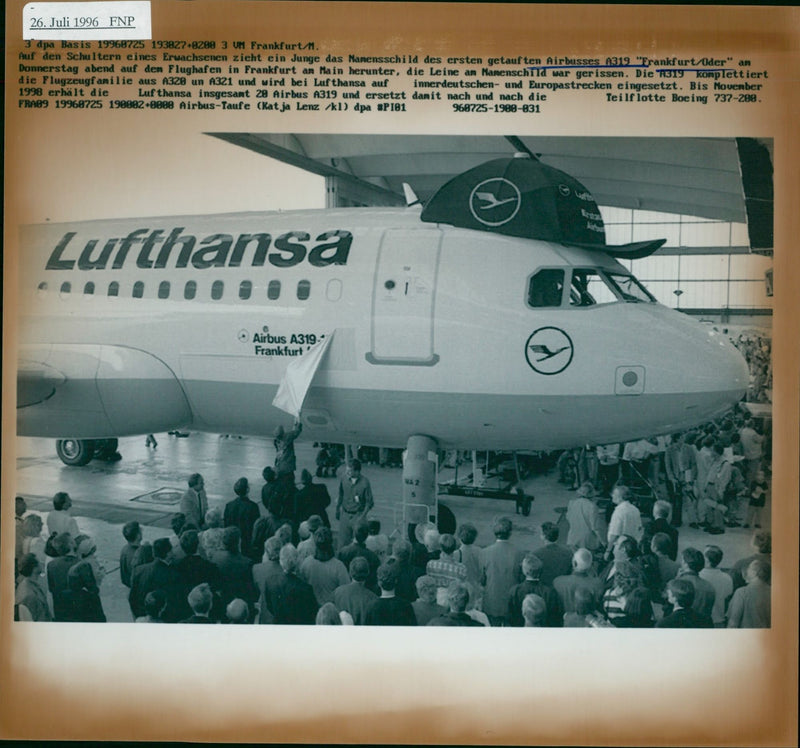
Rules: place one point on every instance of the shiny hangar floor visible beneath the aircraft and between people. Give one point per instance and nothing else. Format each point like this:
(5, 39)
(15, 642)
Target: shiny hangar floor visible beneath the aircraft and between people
(147, 483)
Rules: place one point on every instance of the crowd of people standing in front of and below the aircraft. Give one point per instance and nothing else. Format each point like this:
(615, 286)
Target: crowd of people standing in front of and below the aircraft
(284, 563)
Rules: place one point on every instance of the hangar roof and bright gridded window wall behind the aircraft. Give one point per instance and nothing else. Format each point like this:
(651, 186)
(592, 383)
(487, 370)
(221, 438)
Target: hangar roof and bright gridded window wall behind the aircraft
(711, 198)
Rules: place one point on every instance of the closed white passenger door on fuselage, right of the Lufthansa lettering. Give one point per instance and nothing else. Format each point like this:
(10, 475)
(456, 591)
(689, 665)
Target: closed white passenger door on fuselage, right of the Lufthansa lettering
(403, 299)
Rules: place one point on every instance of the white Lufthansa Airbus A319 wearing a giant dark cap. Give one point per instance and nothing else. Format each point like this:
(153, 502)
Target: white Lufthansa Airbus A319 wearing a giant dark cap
(496, 317)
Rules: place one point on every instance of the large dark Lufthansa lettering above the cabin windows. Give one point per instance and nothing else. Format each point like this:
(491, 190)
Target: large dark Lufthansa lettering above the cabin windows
(162, 248)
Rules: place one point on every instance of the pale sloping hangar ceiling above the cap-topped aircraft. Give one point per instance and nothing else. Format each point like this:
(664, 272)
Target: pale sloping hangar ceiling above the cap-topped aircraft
(726, 179)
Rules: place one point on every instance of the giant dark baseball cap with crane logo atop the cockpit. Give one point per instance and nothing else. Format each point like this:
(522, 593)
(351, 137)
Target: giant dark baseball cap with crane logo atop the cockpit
(521, 196)
